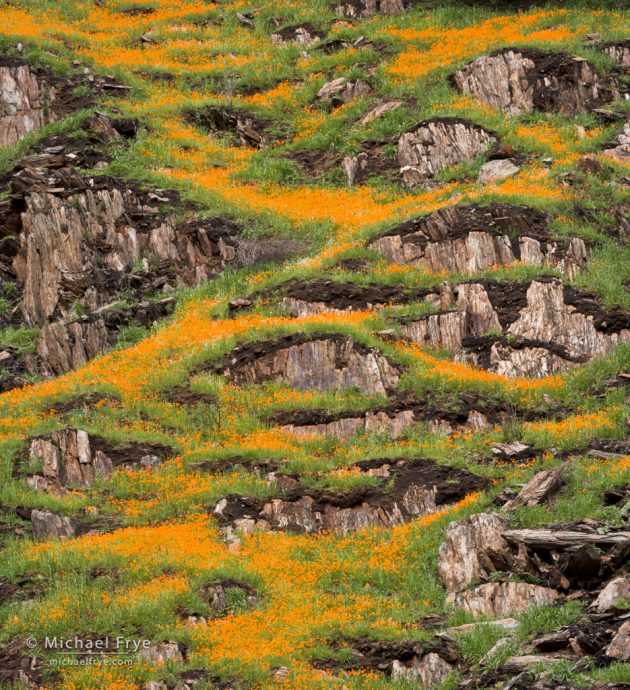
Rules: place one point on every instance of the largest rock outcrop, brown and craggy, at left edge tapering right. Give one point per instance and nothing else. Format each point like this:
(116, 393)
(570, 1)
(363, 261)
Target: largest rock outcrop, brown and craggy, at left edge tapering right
(76, 244)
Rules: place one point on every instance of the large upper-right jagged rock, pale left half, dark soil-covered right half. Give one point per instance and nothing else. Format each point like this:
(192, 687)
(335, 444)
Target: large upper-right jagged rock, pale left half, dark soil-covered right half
(517, 80)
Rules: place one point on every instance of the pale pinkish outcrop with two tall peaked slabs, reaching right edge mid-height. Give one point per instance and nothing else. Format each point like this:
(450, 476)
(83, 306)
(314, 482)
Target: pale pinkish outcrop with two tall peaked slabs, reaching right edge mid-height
(522, 329)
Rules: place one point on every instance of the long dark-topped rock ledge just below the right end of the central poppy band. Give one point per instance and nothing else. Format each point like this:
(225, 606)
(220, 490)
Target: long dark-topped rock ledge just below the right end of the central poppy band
(469, 239)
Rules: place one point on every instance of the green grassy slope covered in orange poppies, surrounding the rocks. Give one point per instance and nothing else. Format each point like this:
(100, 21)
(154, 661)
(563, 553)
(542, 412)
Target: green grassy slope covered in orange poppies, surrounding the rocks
(314, 589)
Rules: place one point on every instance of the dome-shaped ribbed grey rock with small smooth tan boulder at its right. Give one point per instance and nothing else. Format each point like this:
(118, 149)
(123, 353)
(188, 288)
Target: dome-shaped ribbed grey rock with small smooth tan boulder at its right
(436, 144)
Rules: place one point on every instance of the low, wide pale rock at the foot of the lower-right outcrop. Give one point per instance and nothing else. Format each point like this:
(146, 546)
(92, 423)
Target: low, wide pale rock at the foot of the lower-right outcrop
(502, 598)
